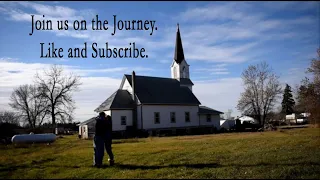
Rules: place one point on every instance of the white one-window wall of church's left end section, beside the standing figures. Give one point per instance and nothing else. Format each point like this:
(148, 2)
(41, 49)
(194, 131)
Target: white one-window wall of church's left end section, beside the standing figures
(116, 119)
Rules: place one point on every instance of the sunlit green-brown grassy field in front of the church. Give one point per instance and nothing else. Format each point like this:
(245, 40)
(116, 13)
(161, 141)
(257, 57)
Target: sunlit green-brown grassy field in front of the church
(279, 154)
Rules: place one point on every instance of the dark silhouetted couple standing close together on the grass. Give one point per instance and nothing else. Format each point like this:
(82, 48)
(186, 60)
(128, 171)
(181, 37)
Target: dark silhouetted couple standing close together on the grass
(102, 139)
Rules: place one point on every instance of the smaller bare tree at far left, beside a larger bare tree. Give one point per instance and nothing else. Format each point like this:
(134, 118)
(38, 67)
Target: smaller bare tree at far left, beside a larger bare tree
(31, 108)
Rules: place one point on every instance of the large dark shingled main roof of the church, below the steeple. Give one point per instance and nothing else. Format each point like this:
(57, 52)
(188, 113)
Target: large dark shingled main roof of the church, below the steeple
(157, 90)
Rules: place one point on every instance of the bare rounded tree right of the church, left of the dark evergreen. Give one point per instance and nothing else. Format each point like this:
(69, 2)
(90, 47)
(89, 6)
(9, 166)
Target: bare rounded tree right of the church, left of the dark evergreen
(262, 89)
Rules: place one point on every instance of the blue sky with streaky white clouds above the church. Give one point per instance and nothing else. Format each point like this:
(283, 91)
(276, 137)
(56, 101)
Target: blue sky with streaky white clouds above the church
(220, 40)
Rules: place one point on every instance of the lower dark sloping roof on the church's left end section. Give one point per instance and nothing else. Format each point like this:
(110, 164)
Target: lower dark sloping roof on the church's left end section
(121, 99)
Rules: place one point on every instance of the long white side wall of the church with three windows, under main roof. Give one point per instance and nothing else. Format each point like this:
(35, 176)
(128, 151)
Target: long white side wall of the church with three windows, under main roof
(165, 121)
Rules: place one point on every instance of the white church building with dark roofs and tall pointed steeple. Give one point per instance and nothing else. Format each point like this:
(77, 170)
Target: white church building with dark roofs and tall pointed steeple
(159, 103)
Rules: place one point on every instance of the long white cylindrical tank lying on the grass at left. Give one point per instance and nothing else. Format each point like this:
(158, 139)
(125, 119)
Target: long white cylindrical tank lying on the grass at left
(33, 138)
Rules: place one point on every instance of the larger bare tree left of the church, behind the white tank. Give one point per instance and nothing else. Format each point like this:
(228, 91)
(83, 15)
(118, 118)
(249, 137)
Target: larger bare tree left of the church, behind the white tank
(57, 89)
